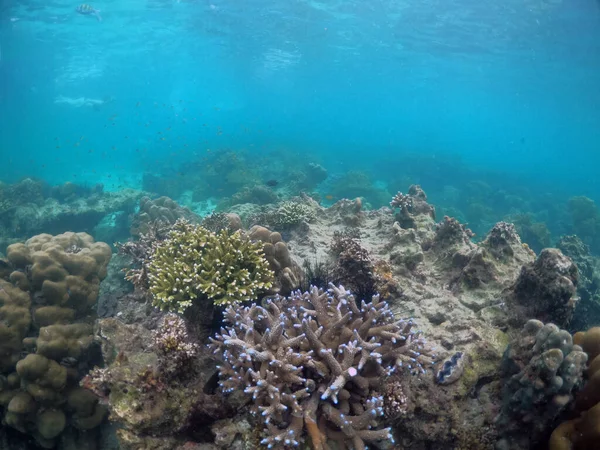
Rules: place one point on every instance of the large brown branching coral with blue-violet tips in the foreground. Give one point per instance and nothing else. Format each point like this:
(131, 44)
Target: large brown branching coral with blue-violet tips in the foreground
(313, 362)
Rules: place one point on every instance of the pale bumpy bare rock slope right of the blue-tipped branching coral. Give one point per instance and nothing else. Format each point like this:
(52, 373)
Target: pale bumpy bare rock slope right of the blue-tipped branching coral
(456, 293)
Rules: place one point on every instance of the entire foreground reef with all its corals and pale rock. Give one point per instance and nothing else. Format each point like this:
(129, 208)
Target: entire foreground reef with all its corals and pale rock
(288, 325)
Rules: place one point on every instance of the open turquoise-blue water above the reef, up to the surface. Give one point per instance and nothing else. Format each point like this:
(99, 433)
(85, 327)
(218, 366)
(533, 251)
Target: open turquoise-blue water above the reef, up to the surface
(433, 90)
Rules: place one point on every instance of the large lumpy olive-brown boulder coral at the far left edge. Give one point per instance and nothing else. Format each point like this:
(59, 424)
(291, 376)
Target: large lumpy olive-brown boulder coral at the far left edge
(46, 336)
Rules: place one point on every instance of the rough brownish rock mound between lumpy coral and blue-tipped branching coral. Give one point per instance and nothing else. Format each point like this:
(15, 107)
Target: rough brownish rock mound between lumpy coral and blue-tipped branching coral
(155, 384)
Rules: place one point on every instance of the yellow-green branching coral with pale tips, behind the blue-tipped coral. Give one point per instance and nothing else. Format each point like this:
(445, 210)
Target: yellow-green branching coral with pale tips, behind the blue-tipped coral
(194, 262)
